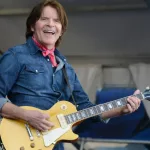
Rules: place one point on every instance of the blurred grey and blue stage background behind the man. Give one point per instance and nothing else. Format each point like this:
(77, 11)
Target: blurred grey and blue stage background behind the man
(108, 44)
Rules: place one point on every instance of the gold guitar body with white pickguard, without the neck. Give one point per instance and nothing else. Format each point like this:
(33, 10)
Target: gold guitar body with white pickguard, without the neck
(17, 135)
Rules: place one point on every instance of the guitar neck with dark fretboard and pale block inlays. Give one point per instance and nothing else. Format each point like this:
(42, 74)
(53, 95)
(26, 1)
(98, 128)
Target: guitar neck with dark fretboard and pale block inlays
(98, 109)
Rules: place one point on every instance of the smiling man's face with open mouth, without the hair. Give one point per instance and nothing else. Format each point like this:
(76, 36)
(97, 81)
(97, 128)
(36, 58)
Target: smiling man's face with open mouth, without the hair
(48, 28)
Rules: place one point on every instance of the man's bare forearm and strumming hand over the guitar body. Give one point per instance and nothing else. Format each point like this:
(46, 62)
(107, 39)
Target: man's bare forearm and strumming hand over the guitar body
(35, 118)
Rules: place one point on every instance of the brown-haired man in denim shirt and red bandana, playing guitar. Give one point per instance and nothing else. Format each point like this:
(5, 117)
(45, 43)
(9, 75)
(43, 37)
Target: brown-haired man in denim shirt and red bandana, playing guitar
(31, 73)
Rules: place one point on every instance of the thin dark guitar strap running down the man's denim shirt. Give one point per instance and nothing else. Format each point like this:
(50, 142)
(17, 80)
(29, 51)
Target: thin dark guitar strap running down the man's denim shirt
(66, 78)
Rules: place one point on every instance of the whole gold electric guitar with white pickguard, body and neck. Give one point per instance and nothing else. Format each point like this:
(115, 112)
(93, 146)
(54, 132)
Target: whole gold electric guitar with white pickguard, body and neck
(18, 135)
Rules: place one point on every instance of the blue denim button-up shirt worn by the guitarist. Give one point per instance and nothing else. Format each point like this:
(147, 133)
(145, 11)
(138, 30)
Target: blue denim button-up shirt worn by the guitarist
(28, 79)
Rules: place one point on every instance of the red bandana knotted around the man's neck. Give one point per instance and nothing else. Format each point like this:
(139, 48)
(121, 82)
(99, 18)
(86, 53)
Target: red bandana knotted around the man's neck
(47, 52)
